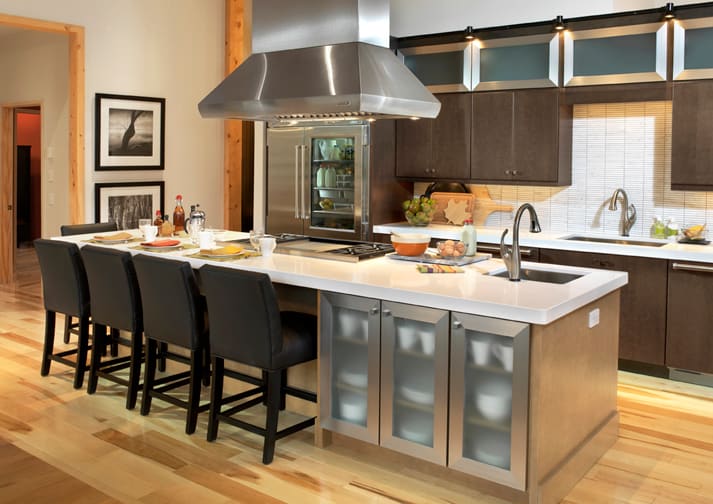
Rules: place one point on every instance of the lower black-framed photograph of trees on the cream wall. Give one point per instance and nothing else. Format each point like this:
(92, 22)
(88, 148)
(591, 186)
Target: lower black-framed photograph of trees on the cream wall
(127, 202)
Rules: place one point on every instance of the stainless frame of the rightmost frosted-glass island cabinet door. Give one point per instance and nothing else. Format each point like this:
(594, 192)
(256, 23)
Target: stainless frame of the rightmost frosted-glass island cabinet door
(461, 359)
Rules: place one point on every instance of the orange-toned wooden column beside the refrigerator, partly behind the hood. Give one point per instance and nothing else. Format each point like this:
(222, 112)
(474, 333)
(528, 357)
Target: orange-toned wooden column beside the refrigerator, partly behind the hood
(238, 168)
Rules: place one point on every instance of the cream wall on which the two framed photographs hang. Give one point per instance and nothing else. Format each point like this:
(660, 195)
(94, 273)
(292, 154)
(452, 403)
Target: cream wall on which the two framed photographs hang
(163, 48)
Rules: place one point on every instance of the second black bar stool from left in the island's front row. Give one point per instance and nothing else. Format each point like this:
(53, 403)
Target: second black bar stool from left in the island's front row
(116, 303)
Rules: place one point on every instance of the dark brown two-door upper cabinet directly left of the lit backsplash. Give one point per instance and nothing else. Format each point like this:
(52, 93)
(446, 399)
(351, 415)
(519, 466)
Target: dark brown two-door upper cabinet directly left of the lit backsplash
(521, 137)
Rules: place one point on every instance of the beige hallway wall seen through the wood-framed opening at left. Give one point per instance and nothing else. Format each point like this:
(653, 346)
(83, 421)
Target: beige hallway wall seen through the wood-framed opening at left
(34, 69)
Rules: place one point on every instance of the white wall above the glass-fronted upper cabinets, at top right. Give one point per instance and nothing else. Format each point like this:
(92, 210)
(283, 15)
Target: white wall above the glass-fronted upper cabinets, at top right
(419, 17)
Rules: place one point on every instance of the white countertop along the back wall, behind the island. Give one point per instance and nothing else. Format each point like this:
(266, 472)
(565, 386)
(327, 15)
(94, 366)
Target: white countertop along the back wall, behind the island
(671, 250)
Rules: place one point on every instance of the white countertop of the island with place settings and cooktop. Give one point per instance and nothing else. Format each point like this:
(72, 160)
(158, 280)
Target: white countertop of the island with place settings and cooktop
(383, 278)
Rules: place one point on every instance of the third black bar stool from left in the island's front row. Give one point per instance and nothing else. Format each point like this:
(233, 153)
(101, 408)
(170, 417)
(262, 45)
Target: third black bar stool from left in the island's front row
(174, 313)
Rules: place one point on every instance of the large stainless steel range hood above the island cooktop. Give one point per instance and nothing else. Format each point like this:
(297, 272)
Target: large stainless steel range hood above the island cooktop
(320, 59)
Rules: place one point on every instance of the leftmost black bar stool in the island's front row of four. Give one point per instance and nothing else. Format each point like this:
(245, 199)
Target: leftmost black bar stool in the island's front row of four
(65, 290)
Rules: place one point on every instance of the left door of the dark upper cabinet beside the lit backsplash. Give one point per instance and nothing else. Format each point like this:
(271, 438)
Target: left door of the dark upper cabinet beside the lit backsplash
(492, 138)
